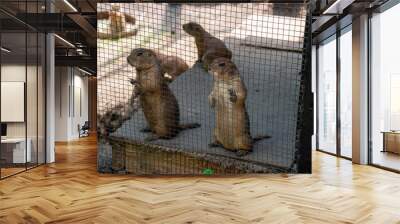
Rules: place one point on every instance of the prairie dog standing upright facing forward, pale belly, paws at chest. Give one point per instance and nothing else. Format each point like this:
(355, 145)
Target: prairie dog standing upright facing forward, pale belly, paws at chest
(228, 98)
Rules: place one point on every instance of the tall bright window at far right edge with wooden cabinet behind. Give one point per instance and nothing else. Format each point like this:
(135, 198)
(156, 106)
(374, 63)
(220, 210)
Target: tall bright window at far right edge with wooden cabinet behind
(385, 89)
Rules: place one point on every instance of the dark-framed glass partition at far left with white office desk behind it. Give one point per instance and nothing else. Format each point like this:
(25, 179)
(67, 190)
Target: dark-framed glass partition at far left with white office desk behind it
(22, 78)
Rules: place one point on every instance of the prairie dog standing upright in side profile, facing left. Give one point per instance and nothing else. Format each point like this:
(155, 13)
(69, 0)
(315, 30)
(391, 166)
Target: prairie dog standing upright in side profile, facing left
(159, 104)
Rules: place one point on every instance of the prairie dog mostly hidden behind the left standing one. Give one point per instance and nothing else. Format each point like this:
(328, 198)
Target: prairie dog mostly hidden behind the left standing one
(172, 66)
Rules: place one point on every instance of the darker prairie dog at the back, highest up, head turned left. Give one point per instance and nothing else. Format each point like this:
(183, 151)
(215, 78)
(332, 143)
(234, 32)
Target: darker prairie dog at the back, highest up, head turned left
(208, 46)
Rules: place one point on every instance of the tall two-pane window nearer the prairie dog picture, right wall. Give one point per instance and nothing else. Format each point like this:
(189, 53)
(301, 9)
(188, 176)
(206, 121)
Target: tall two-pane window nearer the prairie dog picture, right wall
(334, 137)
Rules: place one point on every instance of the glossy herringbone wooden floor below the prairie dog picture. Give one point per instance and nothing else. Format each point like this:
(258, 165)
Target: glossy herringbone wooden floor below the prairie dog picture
(71, 191)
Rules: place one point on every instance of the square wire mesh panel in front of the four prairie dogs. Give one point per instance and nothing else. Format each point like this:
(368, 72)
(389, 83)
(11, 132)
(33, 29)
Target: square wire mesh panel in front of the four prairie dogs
(163, 109)
